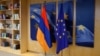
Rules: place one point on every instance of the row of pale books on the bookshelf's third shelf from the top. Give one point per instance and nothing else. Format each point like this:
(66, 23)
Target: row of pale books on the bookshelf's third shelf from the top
(10, 26)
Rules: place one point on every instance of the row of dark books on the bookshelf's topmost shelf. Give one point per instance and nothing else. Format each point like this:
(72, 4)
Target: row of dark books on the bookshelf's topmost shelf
(9, 6)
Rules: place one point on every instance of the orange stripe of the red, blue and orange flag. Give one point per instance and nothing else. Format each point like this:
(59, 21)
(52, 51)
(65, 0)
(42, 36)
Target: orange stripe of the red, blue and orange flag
(41, 39)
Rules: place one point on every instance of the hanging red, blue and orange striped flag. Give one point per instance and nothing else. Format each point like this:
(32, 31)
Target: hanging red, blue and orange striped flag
(43, 32)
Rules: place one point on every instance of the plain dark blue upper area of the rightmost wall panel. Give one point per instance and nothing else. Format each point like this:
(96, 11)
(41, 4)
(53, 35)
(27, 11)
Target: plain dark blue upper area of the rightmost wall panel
(85, 11)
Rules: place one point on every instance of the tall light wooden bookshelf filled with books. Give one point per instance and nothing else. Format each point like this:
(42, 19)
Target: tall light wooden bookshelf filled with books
(11, 33)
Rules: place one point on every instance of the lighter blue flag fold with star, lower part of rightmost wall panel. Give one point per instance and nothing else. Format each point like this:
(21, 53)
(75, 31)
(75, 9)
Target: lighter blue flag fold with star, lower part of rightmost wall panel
(84, 37)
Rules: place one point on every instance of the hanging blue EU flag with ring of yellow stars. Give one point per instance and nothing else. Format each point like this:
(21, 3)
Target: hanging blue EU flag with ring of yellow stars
(61, 32)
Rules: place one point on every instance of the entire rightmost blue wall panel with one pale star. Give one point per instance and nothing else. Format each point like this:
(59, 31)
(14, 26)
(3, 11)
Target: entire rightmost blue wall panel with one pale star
(85, 10)
